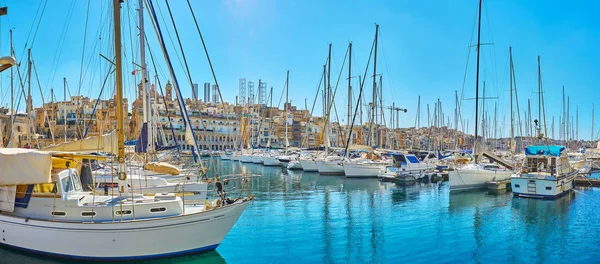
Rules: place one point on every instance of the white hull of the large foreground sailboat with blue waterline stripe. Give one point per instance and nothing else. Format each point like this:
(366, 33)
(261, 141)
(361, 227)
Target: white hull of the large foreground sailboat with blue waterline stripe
(141, 239)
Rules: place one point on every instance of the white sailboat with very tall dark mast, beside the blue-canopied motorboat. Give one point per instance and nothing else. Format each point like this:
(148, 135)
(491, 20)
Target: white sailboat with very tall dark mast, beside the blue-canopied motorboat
(475, 175)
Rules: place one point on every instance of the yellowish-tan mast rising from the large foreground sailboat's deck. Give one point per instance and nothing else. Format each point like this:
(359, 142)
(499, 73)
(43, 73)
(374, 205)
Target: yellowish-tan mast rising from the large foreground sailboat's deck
(122, 172)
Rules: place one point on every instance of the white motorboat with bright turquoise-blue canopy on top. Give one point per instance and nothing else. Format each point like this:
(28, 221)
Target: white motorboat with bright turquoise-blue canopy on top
(546, 173)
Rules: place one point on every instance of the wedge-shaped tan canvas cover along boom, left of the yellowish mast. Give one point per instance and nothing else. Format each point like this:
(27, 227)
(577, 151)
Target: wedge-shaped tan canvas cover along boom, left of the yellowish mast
(105, 143)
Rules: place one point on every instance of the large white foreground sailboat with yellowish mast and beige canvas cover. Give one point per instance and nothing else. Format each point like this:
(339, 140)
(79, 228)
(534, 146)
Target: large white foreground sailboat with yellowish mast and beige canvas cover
(46, 210)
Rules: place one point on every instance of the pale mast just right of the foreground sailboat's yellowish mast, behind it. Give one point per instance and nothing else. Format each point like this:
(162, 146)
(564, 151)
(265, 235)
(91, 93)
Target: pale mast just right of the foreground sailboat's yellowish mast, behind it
(145, 99)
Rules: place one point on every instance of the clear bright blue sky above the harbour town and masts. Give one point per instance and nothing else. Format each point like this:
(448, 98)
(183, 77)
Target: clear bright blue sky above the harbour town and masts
(423, 49)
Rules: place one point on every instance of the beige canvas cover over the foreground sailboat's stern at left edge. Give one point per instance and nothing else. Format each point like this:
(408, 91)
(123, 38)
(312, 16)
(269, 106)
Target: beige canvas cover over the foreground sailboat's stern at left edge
(24, 166)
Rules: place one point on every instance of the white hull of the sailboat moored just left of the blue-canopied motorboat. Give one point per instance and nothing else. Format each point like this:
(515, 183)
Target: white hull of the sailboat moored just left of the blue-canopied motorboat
(474, 176)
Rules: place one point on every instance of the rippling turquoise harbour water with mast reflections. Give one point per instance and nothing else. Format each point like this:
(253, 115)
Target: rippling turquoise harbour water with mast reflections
(300, 217)
